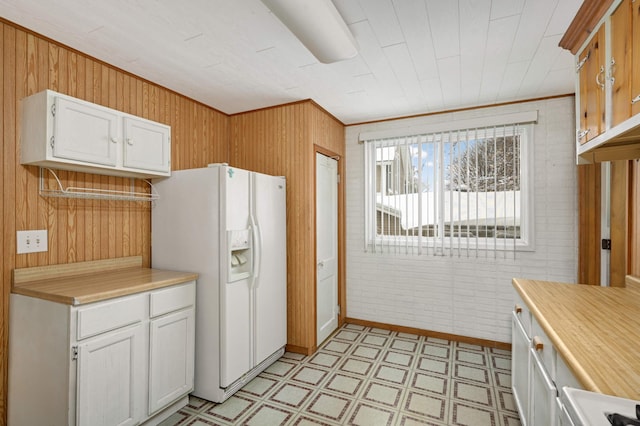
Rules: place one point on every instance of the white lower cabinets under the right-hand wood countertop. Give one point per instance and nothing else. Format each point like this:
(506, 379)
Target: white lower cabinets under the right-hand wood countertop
(538, 371)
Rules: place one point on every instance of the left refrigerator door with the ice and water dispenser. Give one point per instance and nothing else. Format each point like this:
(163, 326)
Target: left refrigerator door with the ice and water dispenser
(235, 306)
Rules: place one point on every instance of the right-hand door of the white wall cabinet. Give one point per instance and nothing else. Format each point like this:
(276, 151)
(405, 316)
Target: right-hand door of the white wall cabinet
(147, 145)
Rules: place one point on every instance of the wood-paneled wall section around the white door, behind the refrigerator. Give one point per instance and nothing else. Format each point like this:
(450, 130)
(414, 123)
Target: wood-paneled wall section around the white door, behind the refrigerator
(283, 141)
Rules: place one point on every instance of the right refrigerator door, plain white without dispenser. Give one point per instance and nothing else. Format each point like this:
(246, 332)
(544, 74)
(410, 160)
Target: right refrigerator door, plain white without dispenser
(270, 287)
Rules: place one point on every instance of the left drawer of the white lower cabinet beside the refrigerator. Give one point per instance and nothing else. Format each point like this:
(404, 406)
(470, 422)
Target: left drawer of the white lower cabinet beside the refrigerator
(105, 316)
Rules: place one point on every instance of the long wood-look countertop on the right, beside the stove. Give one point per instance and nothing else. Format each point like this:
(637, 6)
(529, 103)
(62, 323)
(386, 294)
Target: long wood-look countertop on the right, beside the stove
(595, 329)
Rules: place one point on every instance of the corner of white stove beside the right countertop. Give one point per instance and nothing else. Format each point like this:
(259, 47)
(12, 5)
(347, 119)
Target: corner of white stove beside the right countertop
(586, 408)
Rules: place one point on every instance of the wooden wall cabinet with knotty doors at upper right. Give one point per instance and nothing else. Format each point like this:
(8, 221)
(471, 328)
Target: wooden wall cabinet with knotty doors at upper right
(608, 86)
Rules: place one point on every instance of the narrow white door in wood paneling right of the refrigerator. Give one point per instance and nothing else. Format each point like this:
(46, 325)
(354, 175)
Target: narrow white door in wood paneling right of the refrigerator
(326, 246)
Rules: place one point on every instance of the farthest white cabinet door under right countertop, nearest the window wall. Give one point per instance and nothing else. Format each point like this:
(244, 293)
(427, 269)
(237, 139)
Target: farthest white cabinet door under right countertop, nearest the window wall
(520, 360)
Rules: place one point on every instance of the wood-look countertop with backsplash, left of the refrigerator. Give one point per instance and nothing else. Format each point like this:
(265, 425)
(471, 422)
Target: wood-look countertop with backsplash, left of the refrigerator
(87, 282)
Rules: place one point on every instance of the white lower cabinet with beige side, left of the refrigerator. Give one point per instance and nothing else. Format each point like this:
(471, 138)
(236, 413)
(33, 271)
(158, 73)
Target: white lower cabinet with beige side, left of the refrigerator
(123, 361)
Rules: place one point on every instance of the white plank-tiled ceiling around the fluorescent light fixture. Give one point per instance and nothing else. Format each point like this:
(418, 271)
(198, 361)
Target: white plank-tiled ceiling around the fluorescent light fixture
(416, 56)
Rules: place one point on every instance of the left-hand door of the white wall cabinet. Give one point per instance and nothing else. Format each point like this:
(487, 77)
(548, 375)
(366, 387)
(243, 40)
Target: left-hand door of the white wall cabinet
(83, 132)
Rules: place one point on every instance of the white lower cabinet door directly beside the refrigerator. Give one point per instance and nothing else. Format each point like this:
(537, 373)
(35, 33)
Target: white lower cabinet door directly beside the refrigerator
(171, 360)
